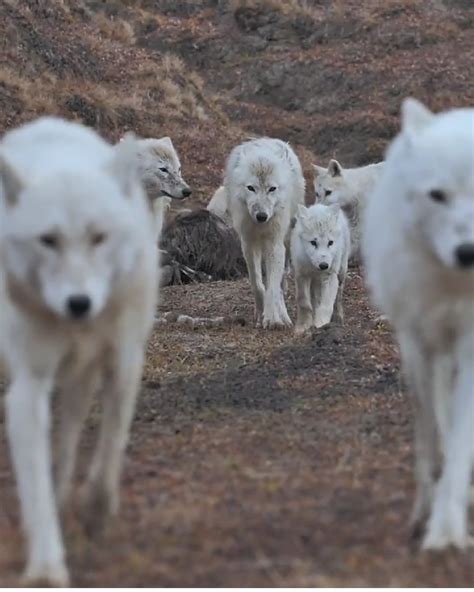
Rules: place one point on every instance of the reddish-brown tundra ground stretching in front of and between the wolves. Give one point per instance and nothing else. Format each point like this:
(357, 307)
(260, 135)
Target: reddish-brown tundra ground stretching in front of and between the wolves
(259, 459)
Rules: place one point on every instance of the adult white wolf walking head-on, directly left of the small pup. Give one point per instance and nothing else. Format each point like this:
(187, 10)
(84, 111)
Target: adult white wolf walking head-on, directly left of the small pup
(264, 184)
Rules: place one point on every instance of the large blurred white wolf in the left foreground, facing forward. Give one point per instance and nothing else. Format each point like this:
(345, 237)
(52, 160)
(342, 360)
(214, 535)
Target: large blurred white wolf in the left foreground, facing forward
(78, 278)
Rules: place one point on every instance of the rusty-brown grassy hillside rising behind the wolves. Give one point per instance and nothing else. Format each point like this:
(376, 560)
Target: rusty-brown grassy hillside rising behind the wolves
(326, 75)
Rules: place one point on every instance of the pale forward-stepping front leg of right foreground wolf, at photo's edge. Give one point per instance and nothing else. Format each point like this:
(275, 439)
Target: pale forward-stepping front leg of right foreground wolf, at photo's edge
(448, 524)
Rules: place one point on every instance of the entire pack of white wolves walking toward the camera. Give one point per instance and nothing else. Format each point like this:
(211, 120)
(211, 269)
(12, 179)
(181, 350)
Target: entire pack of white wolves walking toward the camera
(80, 223)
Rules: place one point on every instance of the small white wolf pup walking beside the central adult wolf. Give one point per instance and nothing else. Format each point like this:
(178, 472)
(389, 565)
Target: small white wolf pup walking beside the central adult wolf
(320, 246)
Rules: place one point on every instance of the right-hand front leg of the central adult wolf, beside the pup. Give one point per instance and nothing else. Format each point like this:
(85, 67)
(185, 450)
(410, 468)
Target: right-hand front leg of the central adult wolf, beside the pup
(275, 315)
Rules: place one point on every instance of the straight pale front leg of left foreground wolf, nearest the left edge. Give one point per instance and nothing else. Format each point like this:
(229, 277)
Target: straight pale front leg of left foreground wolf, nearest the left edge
(28, 425)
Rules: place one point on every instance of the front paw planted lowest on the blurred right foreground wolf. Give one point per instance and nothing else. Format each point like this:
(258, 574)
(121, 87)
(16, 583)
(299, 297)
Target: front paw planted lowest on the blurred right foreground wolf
(447, 527)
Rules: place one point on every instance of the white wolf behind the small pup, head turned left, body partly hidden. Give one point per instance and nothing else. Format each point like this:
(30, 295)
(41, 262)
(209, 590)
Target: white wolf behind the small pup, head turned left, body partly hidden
(350, 189)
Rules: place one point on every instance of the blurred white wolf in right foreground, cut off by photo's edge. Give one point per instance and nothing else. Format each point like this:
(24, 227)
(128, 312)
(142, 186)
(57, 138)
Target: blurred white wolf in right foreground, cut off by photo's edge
(418, 246)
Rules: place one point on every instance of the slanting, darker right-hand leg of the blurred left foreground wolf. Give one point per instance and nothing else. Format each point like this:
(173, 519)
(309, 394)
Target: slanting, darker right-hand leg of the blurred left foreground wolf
(119, 396)
